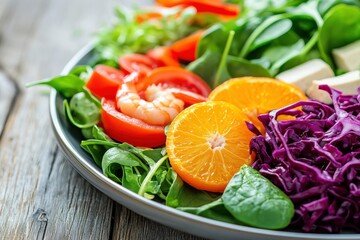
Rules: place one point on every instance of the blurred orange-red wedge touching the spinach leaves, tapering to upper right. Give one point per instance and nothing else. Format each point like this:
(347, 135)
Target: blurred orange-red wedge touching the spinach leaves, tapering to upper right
(185, 49)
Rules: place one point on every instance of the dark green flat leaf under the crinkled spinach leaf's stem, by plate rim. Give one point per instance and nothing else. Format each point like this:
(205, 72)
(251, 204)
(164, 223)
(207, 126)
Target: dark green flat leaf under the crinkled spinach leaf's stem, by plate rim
(214, 210)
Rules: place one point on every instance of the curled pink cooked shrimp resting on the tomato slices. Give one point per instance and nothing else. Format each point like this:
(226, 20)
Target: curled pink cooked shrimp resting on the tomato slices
(159, 107)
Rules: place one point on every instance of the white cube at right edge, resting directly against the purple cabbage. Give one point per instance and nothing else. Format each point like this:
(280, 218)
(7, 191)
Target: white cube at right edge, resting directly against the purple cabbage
(347, 83)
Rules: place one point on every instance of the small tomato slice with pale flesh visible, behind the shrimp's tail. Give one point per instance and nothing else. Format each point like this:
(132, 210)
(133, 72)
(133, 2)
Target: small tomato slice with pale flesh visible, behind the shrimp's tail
(136, 63)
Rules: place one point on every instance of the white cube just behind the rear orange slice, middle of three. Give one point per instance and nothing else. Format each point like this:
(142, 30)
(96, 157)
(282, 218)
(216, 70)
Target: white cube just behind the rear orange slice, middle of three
(302, 75)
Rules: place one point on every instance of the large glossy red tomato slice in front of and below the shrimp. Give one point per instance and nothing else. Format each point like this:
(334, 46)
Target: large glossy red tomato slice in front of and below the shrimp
(123, 128)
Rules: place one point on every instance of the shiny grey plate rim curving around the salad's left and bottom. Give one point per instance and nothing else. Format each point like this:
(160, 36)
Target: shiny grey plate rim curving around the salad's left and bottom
(122, 195)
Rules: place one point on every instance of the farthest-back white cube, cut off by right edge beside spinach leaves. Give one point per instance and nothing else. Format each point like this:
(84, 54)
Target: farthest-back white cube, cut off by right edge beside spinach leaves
(348, 57)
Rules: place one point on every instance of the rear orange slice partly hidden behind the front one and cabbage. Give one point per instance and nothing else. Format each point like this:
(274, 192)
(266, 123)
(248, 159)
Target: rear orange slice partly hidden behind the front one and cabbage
(255, 95)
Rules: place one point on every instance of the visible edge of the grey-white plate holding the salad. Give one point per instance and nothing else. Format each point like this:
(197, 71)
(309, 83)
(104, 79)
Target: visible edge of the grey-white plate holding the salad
(69, 138)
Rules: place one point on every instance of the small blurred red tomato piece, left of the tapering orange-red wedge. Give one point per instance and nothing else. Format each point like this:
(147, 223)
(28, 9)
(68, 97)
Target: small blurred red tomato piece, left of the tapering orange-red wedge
(164, 56)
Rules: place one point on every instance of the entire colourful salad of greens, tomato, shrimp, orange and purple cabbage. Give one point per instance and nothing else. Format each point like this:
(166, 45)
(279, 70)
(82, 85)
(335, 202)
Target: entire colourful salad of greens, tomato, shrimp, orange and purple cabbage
(245, 112)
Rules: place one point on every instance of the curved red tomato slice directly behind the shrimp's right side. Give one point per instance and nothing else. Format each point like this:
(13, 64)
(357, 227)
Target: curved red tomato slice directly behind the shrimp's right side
(174, 77)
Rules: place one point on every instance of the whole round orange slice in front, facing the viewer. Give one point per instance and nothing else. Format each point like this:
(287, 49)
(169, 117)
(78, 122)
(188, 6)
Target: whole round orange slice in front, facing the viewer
(207, 144)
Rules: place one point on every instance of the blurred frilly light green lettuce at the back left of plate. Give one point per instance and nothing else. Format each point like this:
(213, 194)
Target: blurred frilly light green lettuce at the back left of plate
(129, 36)
